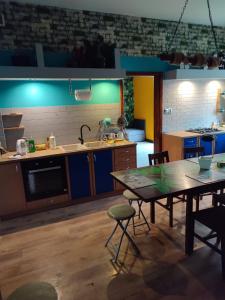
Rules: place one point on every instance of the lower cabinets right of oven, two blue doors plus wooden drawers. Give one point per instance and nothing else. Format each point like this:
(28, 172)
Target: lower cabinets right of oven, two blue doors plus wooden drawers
(90, 172)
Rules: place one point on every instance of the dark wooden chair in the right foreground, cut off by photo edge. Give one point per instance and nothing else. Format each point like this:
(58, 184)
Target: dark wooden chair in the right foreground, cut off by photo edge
(214, 219)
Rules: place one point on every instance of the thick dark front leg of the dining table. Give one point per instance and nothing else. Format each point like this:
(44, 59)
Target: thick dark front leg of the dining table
(189, 229)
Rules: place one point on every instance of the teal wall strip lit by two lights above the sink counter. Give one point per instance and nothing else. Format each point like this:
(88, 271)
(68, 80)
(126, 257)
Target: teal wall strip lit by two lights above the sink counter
(55, 93)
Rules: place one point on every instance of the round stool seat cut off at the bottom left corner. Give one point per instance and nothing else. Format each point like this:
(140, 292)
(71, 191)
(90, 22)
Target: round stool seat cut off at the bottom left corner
(34, 291)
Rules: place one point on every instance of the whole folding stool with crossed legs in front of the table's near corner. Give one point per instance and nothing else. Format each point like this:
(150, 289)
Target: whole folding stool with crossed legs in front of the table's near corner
(121, 213)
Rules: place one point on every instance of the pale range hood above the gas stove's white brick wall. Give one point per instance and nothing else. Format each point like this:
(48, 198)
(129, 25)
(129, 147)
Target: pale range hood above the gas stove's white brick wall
(194, 74)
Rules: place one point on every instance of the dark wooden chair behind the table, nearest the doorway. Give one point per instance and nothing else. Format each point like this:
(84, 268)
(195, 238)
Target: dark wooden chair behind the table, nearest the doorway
(155, 159)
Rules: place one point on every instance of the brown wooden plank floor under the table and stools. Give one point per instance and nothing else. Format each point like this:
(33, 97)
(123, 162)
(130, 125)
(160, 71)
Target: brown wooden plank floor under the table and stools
(65, 247)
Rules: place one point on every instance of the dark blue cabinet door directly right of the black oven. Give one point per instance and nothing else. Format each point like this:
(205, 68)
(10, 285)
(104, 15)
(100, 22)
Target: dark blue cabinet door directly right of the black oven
(79, 175)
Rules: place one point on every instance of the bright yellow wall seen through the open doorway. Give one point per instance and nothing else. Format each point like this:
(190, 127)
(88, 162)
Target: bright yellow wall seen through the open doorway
(144, 103)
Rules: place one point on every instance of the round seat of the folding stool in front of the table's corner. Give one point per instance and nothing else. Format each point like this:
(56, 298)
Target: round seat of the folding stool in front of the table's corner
(121, 212)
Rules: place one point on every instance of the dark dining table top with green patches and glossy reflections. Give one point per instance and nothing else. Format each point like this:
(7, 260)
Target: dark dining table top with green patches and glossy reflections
(171, 179)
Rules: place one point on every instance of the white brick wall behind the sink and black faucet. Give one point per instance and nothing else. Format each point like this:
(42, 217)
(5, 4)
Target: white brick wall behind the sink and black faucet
(64, 121)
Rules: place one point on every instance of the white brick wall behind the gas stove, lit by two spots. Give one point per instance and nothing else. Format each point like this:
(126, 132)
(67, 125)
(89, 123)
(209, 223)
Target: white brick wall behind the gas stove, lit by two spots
(193, 103)
